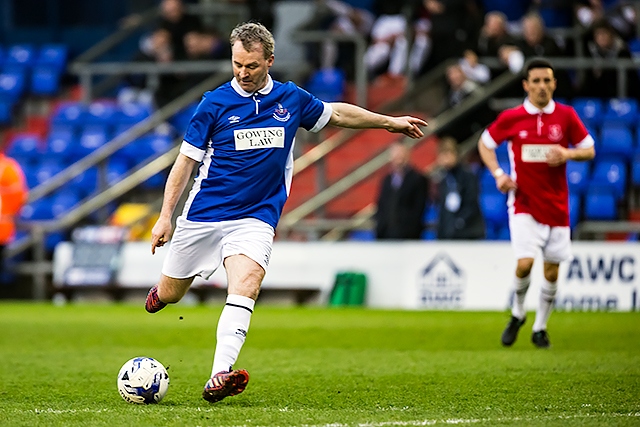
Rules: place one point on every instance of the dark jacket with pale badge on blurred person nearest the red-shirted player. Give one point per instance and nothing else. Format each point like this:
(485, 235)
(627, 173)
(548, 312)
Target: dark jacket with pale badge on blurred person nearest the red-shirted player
(466, 221)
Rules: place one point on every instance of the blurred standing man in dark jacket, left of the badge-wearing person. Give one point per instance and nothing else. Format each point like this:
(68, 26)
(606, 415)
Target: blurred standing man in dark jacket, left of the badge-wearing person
(402, 199)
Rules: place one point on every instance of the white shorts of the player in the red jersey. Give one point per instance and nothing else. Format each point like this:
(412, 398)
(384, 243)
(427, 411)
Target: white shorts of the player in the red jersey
(528, 236)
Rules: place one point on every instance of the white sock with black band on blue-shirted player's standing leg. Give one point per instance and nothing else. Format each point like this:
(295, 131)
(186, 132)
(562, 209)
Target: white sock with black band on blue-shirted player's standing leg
(232, 331)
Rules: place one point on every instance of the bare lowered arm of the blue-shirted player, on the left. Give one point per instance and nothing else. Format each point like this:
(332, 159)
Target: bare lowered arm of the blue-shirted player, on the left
(176, 183)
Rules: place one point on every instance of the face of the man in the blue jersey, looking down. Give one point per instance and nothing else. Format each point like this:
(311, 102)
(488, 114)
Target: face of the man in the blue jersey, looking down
(250, 68)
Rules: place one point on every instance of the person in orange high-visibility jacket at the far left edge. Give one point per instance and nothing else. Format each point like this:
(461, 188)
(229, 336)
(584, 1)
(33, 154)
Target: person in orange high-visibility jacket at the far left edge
(13, 196)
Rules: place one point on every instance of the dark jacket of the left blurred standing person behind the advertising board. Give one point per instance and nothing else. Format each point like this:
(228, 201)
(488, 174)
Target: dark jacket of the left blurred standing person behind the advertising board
(400, 211)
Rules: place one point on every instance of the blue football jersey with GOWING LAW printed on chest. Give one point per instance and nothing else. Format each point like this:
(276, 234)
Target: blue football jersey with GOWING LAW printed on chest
(245, 143)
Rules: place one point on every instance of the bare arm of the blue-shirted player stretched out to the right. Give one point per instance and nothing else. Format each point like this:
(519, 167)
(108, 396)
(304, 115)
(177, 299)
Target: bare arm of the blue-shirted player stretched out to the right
(354, 117)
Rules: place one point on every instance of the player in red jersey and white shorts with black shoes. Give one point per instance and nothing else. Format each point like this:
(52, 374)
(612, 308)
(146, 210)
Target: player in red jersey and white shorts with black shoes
(542, 135)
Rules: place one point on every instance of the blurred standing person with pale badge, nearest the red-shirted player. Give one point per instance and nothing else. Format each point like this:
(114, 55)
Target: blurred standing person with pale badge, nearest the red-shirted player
(460, 217)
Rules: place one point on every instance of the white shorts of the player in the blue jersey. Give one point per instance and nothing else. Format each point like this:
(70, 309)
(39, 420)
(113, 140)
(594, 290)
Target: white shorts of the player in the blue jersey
(198, 248)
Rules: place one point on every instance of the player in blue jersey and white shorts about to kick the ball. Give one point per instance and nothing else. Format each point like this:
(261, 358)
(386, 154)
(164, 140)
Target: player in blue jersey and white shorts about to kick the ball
(241, 136)
